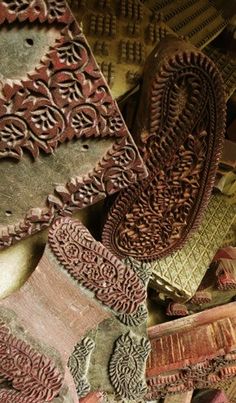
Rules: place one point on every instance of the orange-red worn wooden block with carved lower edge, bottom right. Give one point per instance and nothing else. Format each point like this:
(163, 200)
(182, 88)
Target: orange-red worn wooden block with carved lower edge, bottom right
(192, 353)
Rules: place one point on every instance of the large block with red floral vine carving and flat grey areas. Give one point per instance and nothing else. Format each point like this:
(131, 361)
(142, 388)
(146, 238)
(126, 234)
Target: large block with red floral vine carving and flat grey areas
(63, 142)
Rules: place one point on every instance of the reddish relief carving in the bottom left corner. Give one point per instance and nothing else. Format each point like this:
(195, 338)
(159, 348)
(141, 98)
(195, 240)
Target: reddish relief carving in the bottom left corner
(34, 377)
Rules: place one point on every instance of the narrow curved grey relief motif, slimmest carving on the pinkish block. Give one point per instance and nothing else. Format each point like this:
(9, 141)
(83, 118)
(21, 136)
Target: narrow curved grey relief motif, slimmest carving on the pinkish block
(79, 364)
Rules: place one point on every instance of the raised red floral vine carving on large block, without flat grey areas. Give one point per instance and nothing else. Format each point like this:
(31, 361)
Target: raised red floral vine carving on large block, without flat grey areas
(65, 98)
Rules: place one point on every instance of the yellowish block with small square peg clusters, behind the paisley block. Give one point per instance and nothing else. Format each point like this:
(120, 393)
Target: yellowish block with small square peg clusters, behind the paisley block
(122, 33)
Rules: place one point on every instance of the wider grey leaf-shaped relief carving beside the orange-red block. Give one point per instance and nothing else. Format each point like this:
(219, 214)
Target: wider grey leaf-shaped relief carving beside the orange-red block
(127, 366)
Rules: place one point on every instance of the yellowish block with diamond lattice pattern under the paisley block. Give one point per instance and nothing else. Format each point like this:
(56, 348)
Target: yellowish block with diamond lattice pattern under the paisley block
(180, 274)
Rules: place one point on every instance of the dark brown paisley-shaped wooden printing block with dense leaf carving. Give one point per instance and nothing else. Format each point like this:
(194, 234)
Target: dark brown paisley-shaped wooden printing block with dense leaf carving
(179, 129)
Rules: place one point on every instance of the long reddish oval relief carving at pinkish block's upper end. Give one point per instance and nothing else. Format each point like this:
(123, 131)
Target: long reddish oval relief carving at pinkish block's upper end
(94, 267)
